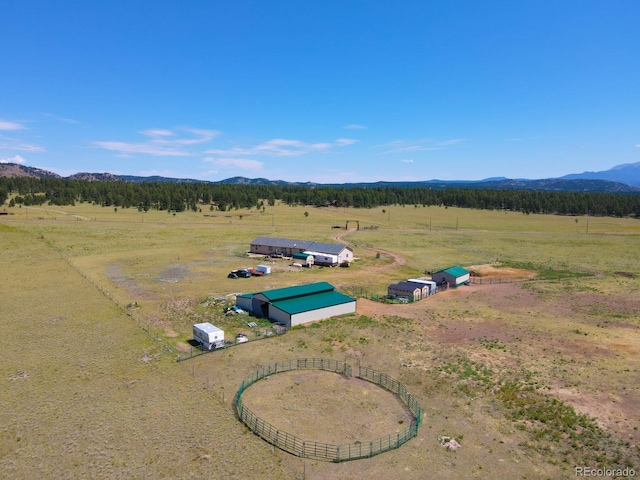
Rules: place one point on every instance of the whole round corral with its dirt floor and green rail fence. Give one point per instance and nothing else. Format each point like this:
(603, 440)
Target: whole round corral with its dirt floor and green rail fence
(316, 408)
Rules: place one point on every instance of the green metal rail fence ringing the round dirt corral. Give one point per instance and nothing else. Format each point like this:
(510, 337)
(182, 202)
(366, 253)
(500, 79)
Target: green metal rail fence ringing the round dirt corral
(323, 451)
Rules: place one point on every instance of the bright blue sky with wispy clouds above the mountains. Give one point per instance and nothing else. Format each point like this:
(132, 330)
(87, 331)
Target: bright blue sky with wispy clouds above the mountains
(321, 90)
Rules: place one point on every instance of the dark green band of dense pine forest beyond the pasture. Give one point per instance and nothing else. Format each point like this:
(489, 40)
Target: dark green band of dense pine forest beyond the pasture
(178, 197)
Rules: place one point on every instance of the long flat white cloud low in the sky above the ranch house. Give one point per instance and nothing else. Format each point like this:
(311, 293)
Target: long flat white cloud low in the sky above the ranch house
(282, 147)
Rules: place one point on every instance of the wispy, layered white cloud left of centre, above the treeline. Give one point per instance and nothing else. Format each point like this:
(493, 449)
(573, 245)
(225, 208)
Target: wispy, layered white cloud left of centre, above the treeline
(161, 142)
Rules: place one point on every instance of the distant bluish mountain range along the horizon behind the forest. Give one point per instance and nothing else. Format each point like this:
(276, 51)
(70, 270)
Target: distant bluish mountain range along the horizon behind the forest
(619, 179)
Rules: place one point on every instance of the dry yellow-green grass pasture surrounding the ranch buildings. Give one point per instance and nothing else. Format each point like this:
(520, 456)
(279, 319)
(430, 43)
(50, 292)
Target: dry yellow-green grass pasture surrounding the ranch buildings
(532, 378)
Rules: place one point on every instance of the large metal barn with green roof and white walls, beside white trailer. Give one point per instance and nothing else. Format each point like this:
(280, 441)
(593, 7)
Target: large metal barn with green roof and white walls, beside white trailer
(297, 305)
